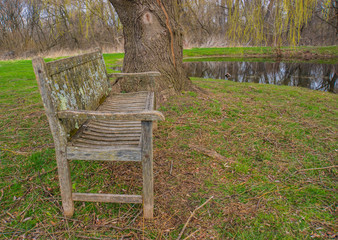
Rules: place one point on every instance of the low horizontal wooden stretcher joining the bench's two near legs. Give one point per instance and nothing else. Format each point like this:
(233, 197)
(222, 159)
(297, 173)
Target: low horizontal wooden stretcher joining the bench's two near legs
(101, 197)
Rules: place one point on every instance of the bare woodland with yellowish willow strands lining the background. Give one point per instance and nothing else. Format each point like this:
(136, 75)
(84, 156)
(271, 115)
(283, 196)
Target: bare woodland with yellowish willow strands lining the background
(31, 26)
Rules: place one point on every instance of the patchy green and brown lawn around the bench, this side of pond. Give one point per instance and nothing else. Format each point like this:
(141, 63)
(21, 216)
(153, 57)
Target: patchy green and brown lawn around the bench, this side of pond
(250, 146)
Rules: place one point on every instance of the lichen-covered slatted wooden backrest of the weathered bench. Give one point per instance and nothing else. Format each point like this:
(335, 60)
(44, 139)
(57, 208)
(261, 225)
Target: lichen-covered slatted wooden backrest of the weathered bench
(75, 83)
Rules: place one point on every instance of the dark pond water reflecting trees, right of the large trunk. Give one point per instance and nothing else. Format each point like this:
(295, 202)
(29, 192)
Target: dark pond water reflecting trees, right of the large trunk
(314, 76)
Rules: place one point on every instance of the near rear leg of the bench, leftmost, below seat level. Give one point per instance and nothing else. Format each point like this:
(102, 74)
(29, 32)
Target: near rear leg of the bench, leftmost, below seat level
(65, 183)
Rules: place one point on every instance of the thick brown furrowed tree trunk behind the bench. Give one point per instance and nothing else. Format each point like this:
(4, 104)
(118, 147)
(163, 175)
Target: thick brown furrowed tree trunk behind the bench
(153, 42)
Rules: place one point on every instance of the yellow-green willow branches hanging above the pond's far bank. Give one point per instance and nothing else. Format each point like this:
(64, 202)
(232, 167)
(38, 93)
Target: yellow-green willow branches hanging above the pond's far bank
(247, 23)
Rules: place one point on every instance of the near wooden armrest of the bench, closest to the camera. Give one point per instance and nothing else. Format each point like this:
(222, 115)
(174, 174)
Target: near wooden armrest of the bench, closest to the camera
(106, 115)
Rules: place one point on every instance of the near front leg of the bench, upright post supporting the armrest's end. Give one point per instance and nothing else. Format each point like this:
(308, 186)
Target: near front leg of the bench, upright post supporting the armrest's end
(147, 166)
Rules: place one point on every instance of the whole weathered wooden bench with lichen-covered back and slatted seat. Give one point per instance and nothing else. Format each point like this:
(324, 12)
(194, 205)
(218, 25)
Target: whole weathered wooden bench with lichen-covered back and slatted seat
(89, 123)
